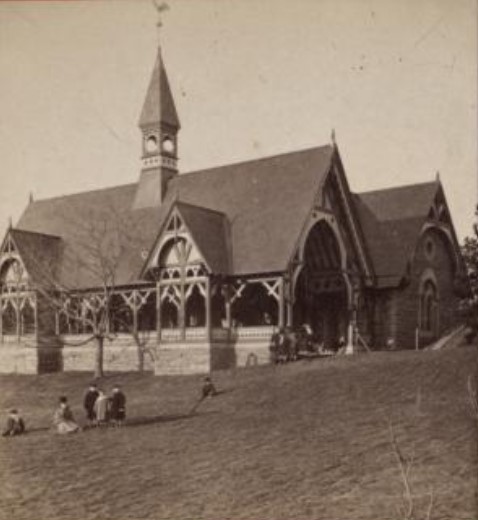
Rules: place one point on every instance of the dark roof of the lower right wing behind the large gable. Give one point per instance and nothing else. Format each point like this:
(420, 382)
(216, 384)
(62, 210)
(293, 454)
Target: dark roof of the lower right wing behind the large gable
(392, 220)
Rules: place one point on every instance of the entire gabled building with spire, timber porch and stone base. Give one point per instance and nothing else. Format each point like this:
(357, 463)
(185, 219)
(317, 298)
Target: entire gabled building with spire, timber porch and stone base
(197, 270)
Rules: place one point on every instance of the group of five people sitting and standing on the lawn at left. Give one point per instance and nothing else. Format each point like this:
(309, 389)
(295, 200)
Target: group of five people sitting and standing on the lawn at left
(101, 410)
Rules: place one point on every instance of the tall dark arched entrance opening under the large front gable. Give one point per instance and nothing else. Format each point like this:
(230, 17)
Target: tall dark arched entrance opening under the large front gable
(320, 292)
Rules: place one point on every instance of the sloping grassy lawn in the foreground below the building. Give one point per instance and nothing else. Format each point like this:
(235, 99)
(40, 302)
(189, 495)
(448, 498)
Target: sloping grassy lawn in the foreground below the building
(308, 440)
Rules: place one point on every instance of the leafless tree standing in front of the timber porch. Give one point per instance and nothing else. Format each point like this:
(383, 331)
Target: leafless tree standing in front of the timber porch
(85, 293)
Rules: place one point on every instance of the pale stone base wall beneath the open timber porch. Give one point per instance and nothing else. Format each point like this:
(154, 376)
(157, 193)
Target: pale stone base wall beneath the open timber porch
(75, 353)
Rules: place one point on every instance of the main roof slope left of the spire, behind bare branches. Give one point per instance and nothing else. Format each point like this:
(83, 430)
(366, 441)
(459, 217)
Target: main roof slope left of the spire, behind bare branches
(88, 220)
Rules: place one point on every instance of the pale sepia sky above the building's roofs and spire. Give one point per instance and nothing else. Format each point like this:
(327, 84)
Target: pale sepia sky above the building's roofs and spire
(396, 79)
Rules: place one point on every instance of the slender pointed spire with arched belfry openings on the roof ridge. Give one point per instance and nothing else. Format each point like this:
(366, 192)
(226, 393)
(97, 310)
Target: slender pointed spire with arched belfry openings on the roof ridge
(159, 125)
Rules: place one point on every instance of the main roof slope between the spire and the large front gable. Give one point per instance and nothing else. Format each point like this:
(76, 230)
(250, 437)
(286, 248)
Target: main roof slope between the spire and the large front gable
(266, 202)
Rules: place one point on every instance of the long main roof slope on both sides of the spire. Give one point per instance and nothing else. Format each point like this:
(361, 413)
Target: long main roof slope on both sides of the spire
(264, 202)
